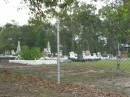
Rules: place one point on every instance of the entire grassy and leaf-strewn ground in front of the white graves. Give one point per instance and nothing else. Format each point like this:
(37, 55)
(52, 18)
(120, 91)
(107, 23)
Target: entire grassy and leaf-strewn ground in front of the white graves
(87, 79)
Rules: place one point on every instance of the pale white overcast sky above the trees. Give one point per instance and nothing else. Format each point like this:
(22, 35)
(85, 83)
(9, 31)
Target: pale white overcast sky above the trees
(13, 11)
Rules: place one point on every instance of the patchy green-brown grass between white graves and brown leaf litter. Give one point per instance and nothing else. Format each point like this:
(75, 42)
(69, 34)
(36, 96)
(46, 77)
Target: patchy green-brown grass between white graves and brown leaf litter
(102, 74)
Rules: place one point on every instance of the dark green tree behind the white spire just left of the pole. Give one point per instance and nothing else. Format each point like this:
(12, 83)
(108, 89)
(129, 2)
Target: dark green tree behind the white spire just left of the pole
(46, 33)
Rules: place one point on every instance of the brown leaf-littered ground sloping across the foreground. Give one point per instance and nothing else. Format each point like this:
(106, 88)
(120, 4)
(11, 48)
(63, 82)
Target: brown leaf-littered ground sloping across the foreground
(28, 86)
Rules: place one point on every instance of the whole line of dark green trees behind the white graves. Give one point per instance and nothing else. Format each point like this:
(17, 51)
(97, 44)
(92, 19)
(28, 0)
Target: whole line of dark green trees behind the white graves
(82, 27)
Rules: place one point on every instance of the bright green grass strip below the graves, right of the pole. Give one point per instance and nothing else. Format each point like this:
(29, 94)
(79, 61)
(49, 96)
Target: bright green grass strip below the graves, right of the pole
(101, 64)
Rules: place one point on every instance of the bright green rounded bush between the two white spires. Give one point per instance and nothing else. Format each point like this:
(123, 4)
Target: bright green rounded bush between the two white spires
(30, 53)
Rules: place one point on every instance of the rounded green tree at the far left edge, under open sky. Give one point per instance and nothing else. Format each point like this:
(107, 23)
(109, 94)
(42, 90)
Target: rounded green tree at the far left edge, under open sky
(9, 36)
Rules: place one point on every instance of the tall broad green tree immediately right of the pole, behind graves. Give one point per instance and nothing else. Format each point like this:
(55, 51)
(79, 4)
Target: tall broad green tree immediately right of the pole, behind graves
(79, 26)
